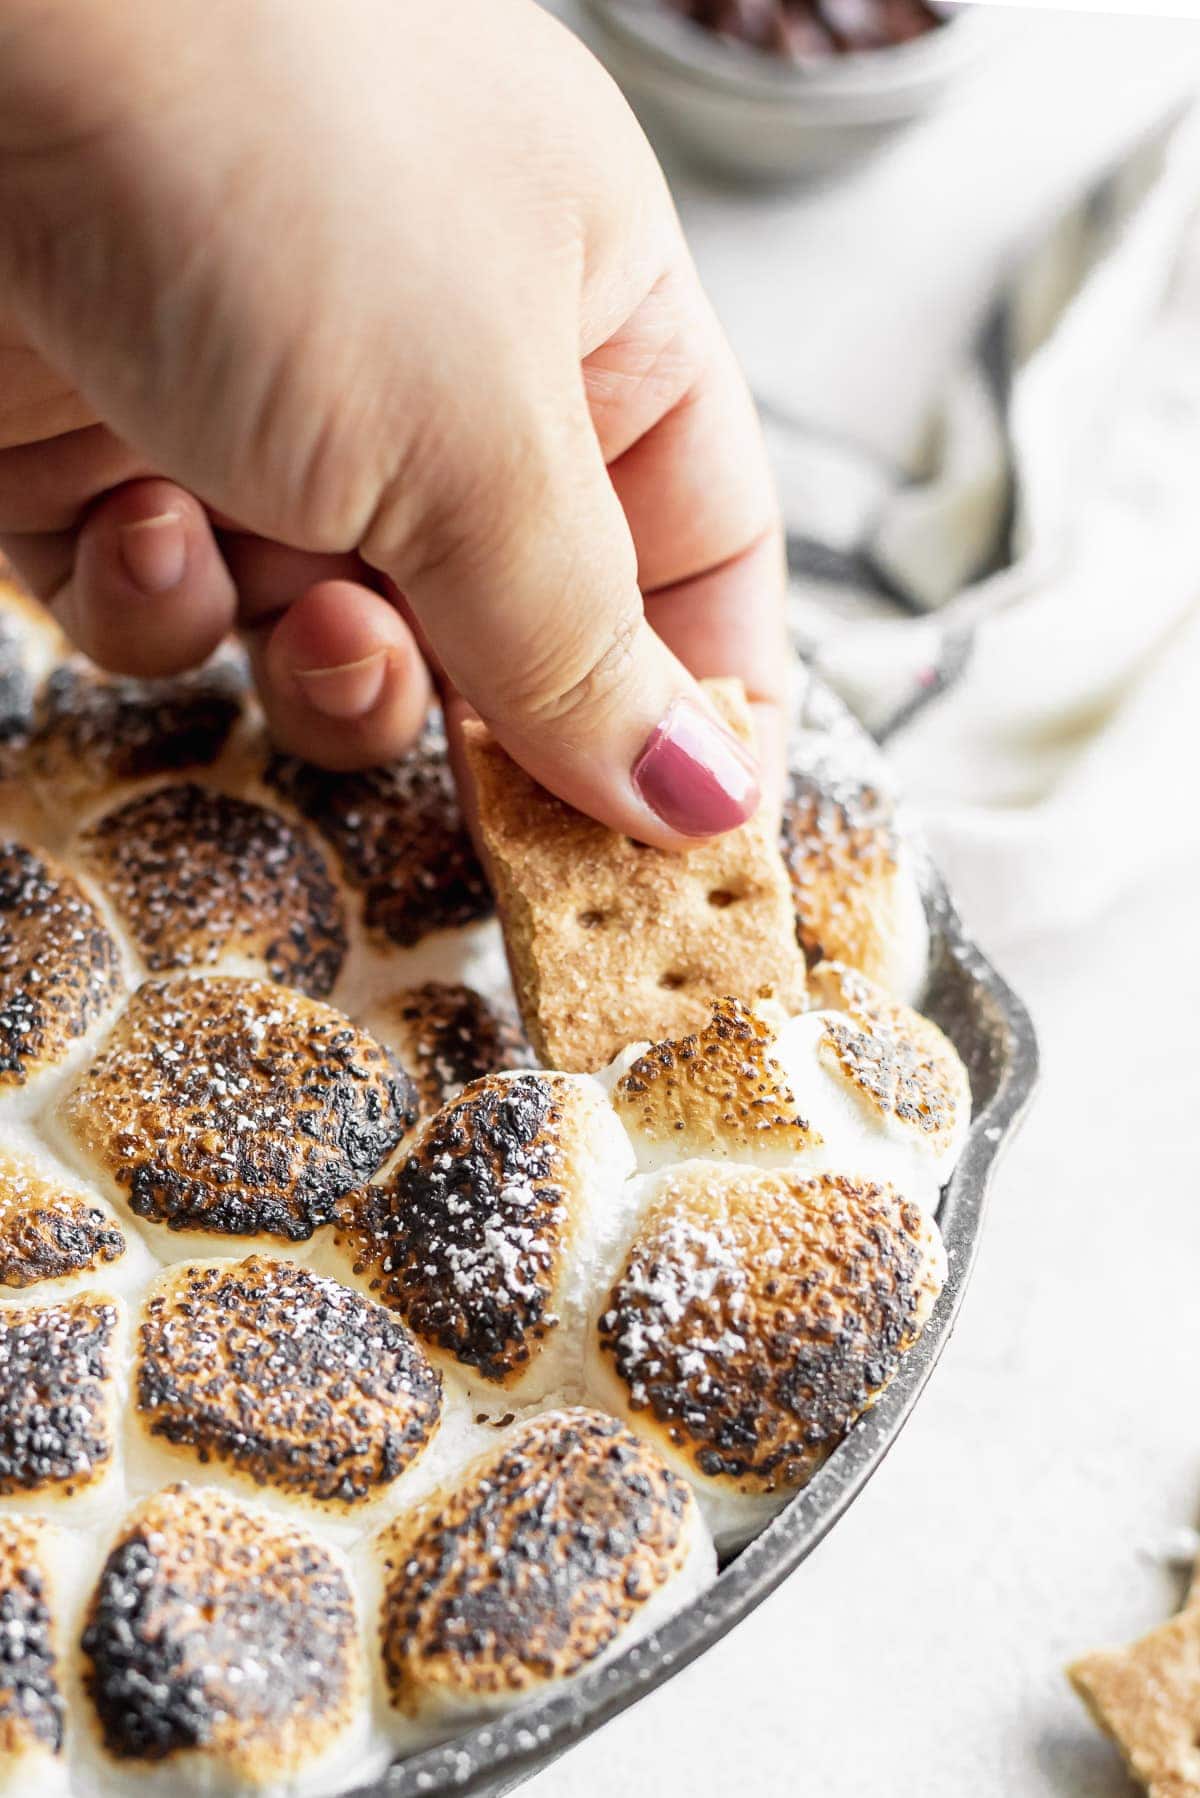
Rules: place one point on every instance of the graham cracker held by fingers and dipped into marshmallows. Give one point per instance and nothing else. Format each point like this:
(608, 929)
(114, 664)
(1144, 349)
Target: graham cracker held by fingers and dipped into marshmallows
(611, 941)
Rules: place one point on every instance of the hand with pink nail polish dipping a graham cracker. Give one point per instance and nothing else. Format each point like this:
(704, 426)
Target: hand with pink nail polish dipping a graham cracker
(370, 328)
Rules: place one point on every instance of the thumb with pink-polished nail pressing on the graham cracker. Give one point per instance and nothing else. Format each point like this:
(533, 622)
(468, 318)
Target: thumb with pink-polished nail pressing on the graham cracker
(535, 614)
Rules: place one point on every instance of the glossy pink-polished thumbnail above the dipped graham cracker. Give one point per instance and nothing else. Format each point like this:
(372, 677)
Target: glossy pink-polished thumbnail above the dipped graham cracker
(695, 776)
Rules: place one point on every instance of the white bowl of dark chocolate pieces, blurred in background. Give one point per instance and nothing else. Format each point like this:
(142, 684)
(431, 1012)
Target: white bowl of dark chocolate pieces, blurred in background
(760, 118)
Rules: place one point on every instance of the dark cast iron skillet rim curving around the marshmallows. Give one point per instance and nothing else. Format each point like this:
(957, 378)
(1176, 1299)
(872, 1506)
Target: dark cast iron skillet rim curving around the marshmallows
(994, 1035)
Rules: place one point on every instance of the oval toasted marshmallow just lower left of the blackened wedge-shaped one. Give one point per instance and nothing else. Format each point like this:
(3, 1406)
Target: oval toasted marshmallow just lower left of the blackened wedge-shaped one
(283, 1380)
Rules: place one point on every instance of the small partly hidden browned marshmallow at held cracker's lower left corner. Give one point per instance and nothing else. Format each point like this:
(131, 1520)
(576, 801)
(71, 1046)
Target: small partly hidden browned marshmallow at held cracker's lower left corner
(447, 1037)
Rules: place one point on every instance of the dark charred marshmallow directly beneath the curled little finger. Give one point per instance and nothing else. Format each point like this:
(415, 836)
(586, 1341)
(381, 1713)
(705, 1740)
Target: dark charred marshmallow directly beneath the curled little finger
(96, 734)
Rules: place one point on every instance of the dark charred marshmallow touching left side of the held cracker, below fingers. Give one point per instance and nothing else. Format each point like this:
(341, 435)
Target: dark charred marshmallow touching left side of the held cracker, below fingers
(399, 835)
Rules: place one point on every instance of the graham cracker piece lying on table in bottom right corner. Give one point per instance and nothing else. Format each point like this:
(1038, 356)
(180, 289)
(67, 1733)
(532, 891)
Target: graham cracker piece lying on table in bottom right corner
(1147, 1698)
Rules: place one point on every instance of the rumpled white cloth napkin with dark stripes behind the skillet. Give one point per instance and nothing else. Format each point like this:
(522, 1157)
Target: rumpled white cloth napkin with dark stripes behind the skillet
(1016, 605)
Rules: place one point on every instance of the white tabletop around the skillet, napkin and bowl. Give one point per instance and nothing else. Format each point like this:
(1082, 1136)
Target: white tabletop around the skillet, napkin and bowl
(920, 1650)
